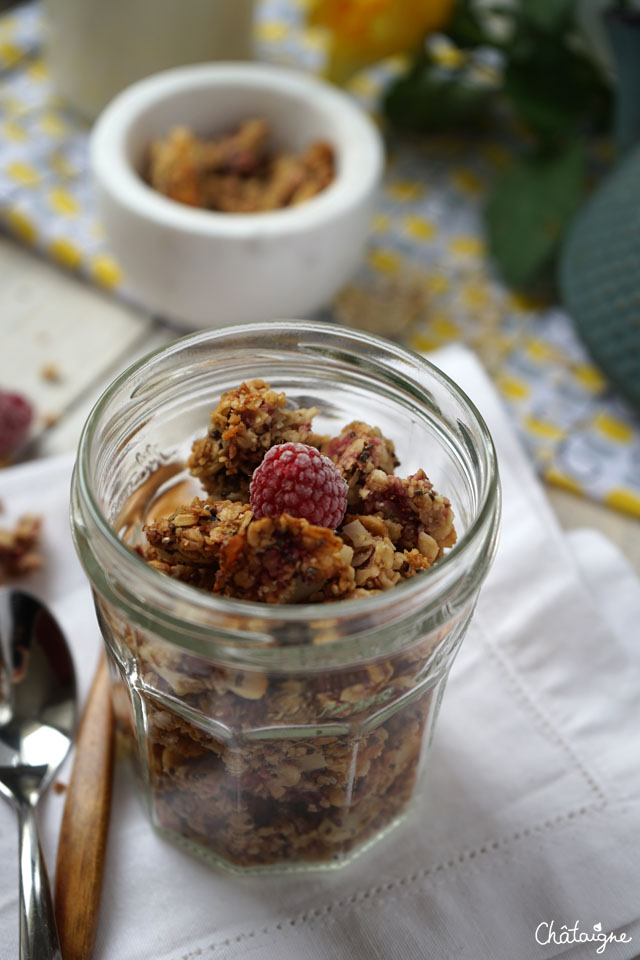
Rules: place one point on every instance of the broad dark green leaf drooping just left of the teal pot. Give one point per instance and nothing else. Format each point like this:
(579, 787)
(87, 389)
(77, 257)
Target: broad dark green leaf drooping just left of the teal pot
(529, 209)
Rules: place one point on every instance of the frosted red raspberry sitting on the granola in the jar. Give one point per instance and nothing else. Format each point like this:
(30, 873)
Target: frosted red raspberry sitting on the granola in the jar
(296, 479)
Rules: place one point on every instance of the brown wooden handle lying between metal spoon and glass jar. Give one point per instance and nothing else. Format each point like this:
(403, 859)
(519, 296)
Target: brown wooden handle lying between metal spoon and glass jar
(85, 824)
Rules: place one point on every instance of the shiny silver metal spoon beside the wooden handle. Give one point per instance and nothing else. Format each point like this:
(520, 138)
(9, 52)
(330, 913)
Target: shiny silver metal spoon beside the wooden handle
(37, 717)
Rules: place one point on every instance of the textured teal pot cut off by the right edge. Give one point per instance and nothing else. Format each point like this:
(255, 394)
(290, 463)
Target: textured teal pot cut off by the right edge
(600, 263)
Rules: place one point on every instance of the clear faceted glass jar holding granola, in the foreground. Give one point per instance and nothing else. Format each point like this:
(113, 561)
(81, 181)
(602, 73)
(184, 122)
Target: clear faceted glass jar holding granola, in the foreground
(272, 736)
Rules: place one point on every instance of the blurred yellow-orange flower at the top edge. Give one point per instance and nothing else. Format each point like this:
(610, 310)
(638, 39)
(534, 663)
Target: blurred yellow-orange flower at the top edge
(363, 31)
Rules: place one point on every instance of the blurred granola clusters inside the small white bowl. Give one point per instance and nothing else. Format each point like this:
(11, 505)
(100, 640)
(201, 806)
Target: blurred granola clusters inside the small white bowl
(237, 172)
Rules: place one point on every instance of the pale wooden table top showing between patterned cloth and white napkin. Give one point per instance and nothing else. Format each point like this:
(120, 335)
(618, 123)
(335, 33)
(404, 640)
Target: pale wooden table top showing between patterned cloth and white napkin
(51, 320)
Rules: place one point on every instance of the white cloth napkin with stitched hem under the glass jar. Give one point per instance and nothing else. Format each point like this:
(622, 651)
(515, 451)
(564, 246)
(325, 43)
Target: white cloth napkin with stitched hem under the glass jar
(531, 810)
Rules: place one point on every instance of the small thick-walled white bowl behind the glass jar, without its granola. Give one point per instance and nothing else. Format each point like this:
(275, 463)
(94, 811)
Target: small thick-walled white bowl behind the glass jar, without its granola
(202, 268)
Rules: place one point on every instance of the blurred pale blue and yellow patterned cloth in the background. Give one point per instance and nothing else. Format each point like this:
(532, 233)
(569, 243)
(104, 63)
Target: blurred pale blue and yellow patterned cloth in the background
(426, 278)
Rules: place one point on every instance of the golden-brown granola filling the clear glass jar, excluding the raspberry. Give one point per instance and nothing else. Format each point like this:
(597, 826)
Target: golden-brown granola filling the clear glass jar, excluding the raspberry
(261, 766)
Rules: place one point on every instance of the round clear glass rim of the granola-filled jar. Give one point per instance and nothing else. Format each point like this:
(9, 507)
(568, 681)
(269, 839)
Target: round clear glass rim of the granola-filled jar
(422, 590)
